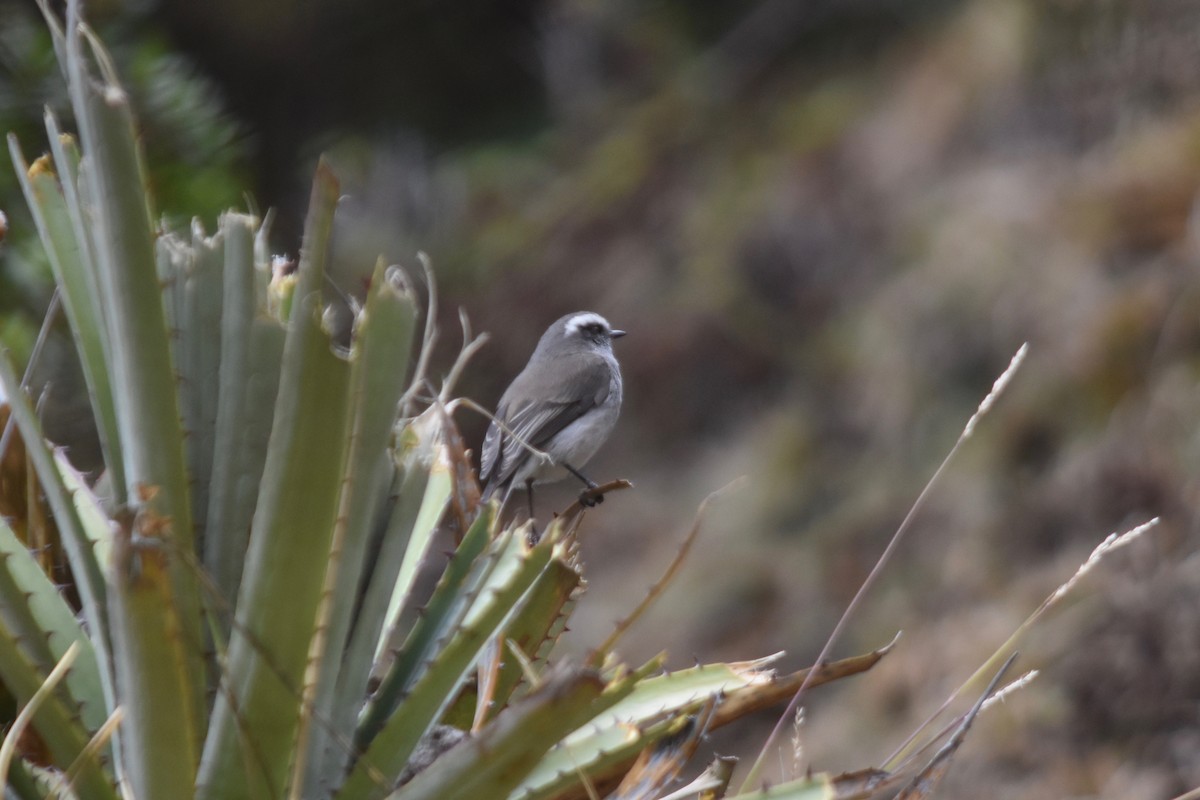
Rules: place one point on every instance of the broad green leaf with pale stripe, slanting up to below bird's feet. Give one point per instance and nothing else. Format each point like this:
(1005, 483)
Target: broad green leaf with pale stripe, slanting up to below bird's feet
(424, 706)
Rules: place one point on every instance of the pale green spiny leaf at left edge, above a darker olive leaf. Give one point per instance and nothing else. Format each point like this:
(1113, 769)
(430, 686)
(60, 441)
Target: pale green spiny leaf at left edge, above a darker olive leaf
(38, 615)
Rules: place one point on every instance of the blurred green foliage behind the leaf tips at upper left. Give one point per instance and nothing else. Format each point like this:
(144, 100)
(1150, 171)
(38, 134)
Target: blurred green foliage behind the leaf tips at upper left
(199, 153)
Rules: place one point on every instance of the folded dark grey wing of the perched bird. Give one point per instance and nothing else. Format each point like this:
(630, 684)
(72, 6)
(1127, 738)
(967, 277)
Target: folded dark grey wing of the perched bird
(537, 422)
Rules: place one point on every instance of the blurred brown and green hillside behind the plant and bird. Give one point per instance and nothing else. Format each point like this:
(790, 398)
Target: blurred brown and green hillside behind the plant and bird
(827, 226)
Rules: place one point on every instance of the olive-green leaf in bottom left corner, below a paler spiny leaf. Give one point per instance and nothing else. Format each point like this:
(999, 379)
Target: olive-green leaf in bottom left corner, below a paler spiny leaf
(56, 721)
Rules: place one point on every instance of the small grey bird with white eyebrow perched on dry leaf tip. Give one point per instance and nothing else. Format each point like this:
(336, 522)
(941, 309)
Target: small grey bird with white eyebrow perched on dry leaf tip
(565, 404)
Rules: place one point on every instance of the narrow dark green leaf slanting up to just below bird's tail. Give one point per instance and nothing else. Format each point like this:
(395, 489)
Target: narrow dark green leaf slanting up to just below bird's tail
(442, 617)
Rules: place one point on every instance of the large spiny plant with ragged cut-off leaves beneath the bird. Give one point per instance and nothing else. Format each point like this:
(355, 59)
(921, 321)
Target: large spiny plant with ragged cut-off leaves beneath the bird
(243, 579)
